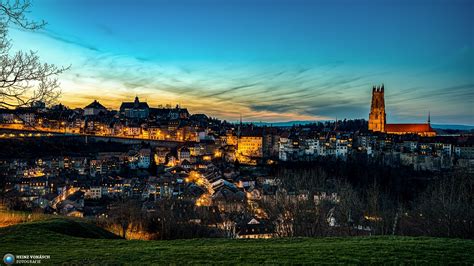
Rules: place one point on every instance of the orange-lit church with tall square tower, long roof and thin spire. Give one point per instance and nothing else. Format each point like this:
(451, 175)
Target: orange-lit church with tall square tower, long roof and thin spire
(377, 119)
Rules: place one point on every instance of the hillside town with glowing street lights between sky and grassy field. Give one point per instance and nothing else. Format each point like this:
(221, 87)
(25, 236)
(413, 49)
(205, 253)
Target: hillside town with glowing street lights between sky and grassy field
(201, 176)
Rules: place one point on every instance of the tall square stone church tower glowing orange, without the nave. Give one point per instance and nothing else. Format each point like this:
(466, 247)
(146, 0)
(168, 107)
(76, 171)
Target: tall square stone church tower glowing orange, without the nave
(377, 110)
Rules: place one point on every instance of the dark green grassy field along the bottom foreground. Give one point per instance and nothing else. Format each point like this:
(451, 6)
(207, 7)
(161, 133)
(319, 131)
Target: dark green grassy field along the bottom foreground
(73, 241)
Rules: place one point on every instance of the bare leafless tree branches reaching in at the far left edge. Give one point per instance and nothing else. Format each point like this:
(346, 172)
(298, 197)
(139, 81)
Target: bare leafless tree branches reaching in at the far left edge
(24, 79)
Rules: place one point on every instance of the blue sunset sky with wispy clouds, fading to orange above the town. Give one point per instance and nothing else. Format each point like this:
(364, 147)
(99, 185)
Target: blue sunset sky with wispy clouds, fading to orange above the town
(267, 60)
